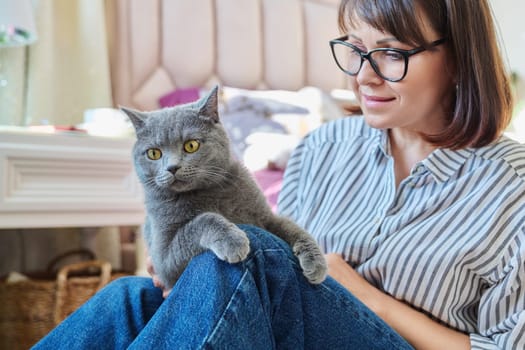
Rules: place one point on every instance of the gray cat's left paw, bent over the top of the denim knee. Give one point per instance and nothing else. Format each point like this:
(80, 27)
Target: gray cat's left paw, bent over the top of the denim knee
(233, 246)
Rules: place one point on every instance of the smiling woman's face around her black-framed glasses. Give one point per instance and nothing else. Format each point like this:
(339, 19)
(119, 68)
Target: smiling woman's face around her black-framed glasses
(420, 101)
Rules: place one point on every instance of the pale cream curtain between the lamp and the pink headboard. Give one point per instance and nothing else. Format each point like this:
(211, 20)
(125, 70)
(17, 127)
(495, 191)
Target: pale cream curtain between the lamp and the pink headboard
(68, 67)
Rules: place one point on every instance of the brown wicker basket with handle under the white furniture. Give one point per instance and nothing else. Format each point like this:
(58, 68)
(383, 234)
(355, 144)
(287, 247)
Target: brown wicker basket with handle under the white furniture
(31, 308)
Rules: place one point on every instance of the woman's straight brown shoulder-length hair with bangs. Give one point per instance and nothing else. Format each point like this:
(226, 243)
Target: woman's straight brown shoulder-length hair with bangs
(483, 103)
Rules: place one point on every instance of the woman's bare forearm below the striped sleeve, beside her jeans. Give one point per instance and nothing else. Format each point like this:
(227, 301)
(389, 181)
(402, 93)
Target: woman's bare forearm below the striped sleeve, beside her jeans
(417, 328)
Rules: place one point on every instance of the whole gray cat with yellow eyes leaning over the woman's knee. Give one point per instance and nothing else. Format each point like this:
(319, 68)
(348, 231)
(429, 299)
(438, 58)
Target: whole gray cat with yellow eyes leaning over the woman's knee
(196, 193)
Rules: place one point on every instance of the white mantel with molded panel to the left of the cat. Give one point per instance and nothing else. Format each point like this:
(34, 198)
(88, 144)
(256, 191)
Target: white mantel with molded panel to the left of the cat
(67, 179)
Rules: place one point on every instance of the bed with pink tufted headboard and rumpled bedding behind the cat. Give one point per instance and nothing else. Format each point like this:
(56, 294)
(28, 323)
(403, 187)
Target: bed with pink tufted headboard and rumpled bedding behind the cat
(271, 59)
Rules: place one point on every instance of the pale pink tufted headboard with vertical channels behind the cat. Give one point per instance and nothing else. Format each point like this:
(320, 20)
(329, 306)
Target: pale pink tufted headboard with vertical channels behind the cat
(160, 45)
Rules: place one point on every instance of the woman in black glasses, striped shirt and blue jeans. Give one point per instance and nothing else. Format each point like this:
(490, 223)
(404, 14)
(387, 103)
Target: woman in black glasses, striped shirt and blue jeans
(419, 204)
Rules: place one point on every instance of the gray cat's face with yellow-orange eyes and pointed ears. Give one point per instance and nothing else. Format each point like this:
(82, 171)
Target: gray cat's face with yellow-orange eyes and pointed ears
(182, 148)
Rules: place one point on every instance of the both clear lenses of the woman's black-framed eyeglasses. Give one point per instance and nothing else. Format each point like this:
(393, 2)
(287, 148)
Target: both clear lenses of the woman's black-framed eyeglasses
(389, 64)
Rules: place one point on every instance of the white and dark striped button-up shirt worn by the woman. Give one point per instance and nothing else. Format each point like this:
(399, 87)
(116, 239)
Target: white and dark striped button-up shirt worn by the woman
(449, 240)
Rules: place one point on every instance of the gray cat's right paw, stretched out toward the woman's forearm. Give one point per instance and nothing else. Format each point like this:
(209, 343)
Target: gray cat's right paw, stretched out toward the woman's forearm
(311, 259)
